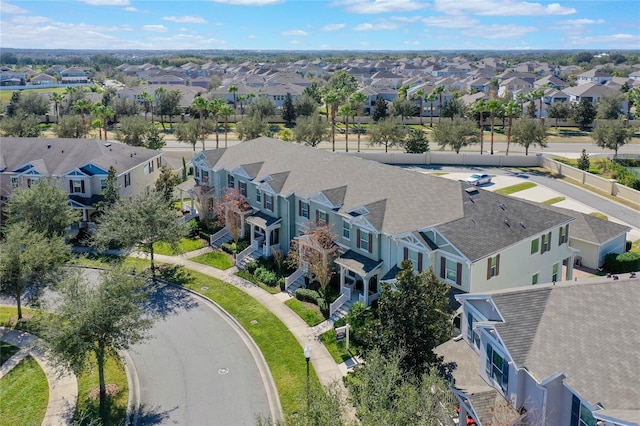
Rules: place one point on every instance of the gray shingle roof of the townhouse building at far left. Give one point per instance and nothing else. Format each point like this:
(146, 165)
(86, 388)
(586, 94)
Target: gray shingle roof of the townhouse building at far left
(59, 156)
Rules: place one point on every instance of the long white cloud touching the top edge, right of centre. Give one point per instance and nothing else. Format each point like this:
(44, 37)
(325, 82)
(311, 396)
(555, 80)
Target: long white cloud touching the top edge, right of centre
(501, 8)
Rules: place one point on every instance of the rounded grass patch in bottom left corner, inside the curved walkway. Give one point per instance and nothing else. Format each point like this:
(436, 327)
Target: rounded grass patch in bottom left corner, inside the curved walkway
(24, 394)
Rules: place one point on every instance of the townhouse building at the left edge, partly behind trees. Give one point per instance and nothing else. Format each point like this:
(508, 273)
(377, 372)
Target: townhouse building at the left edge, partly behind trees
(79, 166)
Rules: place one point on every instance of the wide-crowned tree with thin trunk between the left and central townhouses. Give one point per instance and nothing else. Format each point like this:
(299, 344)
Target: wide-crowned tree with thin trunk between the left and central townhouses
(140, 222)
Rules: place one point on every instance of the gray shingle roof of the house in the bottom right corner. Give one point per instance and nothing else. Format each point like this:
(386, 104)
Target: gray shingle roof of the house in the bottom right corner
(587, 330)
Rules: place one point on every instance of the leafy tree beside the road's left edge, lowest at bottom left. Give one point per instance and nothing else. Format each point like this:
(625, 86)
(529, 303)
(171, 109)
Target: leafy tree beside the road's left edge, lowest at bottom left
(97, 320)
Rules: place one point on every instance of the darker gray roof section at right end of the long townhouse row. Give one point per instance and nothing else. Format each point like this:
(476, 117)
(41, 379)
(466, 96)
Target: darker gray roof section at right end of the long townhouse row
(492, 221)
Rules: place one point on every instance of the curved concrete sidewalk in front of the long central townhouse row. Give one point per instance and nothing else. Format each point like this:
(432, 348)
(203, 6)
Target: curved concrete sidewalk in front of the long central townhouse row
(326, 368)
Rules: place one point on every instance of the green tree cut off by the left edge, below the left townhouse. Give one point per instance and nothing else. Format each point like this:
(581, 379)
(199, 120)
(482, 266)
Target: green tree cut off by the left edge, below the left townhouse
(30, 260)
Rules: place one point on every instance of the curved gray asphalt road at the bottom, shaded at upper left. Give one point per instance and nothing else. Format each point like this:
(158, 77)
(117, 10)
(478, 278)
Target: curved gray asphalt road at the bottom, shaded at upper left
(197, 369)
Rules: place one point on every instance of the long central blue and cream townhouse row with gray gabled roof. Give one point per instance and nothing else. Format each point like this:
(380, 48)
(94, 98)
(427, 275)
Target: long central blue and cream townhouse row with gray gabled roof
(474, 239)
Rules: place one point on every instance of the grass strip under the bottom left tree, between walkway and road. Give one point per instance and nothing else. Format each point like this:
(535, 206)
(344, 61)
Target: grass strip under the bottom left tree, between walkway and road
(114, 373)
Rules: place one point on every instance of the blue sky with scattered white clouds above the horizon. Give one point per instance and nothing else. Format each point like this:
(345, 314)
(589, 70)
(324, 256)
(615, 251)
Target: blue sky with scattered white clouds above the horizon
(321, 24)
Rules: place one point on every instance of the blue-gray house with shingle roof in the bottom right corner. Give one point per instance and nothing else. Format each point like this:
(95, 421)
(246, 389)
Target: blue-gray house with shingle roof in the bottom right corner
(564, 354)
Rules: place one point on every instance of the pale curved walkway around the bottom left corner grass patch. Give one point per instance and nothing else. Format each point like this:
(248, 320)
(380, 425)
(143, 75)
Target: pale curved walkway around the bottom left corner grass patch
(63, 388)
